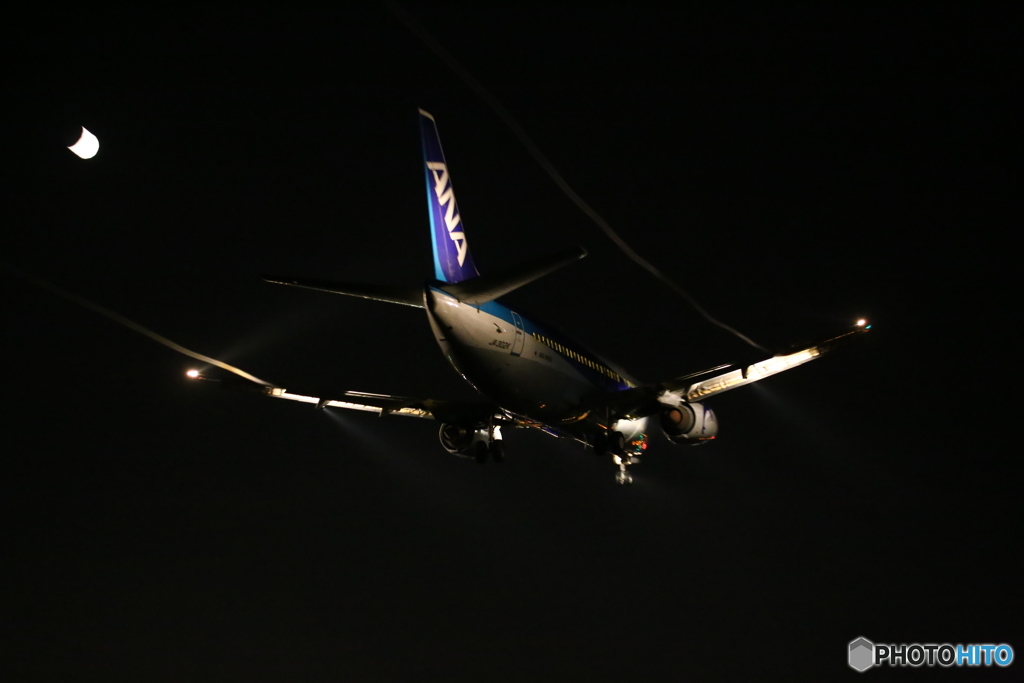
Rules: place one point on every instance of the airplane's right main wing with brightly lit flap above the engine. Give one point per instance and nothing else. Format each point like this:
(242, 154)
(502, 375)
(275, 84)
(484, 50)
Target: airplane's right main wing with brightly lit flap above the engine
(643, 401)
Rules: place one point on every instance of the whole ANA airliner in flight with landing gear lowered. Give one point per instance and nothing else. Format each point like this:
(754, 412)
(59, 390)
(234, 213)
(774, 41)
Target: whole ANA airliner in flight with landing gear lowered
(529, 374)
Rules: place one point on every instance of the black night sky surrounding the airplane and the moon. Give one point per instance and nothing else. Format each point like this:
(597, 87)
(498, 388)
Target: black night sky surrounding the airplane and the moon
(793, 170)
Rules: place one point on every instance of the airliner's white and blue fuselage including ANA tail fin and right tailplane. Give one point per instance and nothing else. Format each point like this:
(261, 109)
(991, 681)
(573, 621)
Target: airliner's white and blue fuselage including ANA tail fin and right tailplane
(532, 372)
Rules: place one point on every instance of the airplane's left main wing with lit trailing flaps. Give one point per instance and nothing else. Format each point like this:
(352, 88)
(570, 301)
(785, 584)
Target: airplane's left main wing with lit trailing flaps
(382, 405)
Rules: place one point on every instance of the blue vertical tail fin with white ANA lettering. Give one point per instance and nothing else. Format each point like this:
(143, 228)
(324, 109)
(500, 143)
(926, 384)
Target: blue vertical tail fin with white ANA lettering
(453, 263)
